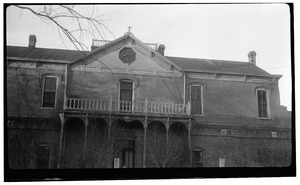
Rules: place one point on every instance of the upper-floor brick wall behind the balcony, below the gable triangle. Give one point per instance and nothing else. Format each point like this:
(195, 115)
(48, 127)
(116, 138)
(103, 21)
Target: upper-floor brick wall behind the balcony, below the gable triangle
(84, 84)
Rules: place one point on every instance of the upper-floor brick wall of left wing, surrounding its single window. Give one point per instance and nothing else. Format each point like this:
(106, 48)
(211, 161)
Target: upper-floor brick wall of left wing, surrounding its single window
(25, 88)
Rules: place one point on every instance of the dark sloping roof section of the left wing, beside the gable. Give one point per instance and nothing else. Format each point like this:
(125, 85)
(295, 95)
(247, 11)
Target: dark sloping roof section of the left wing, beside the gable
(44, 53)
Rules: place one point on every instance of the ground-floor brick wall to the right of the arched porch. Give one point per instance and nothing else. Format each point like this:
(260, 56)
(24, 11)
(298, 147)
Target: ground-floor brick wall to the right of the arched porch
(243, 151)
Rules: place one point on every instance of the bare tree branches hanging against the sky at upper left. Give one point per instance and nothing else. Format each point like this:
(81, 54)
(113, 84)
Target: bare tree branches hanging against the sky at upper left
(84, 24)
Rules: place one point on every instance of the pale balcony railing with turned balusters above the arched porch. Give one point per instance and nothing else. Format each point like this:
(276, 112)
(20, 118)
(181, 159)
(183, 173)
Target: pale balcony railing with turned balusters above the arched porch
(126, 106)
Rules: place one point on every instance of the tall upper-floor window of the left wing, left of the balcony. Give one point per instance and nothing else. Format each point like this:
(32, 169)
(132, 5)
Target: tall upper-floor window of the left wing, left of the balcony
(49, 92)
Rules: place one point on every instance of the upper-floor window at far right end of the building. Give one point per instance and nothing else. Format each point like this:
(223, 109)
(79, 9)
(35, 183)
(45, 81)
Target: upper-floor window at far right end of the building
(262, 98)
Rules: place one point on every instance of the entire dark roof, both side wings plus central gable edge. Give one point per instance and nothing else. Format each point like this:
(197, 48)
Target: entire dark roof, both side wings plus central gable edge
(186, 64)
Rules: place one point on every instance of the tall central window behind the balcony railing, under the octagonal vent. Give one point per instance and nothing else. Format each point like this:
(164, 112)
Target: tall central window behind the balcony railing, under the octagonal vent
(126, 95)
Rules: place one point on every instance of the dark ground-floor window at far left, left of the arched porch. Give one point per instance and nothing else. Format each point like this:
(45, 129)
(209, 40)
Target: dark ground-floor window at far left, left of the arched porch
(43, 157)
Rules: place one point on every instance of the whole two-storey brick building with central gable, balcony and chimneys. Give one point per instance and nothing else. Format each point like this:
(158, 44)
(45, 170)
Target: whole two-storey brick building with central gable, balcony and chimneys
(127, 105)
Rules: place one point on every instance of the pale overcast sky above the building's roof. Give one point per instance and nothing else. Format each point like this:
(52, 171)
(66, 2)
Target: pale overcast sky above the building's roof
(214, 31)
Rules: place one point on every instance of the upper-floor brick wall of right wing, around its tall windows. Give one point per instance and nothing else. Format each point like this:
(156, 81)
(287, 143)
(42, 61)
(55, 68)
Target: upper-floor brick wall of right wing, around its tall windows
(233, 101)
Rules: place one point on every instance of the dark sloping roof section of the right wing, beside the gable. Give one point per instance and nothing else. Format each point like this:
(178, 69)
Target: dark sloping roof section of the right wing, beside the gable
(220, 66)
